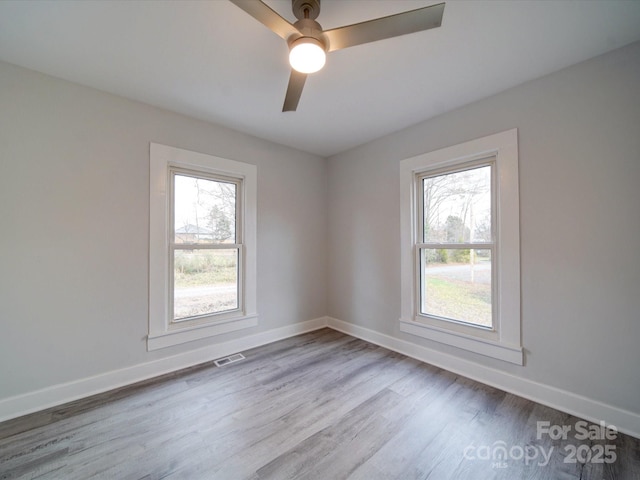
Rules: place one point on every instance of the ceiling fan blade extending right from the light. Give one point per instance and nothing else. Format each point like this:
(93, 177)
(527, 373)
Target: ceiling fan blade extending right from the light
(385, 27)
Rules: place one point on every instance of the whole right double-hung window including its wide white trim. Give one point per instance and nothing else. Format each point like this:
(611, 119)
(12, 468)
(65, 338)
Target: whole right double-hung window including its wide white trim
(460, 246)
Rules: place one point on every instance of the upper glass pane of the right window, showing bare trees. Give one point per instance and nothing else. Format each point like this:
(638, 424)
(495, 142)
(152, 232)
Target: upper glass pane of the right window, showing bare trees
(457, 206)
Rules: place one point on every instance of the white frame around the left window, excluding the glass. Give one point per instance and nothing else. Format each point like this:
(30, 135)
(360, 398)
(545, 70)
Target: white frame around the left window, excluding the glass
(163, 162)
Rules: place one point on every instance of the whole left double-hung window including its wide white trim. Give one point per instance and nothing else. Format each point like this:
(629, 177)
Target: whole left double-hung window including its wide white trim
(202, 246)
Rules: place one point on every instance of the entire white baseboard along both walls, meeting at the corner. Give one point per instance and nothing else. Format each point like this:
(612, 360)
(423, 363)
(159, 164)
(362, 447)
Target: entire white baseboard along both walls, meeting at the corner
(592, 410)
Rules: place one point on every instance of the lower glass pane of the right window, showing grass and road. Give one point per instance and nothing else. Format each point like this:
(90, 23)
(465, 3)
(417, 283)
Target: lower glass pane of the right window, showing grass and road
(456, 284)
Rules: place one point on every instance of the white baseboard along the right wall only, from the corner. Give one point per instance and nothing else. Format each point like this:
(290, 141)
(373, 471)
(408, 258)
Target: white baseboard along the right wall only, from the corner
(582, 407)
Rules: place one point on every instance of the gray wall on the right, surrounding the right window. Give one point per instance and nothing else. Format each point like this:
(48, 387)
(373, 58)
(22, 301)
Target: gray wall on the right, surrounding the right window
(579, 145)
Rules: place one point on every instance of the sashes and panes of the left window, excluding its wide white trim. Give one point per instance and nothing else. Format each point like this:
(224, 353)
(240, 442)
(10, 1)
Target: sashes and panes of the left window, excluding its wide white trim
(206, 247)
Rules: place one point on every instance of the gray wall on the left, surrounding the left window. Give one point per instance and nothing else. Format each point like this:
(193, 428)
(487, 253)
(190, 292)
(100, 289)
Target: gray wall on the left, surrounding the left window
(74, 219)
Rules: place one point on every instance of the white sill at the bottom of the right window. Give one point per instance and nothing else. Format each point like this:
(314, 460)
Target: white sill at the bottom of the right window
(500, 351)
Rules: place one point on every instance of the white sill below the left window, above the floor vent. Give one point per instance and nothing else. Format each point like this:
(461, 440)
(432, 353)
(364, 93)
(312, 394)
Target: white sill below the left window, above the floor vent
(168, 338)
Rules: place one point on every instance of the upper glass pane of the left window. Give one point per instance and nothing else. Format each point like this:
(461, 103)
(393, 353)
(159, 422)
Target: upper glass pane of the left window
(204, 210)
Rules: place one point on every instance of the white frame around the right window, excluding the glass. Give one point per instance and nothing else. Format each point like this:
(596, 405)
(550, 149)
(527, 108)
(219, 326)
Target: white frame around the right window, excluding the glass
(503, 341)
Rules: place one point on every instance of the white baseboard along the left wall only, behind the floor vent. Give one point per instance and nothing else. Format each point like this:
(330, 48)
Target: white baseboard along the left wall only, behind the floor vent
(19, 405)
